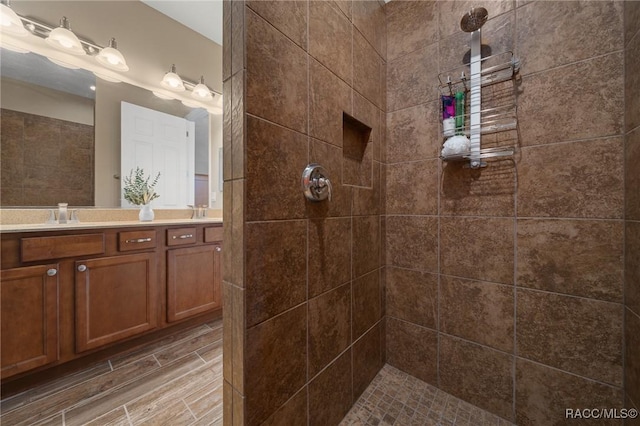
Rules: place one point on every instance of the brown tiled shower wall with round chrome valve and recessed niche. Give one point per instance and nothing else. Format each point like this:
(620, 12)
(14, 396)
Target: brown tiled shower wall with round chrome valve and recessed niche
(304, 298)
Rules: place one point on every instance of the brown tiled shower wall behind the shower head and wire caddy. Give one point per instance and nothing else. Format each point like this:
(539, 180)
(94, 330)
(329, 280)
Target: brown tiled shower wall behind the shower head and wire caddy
(506, 286)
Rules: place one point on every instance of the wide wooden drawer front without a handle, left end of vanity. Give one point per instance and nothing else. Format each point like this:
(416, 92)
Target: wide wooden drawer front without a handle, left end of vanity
(46, 248)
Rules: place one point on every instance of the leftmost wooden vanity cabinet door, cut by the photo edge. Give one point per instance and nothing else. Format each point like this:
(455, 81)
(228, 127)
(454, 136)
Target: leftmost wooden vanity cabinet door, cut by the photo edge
(29, 314)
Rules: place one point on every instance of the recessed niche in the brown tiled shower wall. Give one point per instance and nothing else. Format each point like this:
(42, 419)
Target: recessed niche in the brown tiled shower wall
(357, 152)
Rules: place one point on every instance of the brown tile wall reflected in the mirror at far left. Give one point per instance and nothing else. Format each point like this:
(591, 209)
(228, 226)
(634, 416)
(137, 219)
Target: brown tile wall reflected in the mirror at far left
(45, 161)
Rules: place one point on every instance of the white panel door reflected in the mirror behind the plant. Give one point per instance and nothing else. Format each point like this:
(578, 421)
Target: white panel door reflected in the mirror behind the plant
(158, 142)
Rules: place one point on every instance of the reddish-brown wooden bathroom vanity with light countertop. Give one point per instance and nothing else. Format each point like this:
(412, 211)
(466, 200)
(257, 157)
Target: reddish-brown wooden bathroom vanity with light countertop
(85, 292)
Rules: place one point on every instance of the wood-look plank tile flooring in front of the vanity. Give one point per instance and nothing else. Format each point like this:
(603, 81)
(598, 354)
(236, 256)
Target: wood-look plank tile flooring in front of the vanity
(176, 381)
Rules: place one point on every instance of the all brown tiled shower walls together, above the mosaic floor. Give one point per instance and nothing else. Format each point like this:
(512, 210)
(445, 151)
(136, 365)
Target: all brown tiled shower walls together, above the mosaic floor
(515, 288)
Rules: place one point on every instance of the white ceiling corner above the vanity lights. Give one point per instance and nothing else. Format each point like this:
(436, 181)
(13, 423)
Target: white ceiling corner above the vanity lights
(202, 16)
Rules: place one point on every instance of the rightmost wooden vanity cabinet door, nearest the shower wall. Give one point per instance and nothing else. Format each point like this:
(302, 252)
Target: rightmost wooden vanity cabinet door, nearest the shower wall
(193, 281)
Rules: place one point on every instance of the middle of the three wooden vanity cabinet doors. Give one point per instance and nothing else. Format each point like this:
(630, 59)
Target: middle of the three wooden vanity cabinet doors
(116, 298)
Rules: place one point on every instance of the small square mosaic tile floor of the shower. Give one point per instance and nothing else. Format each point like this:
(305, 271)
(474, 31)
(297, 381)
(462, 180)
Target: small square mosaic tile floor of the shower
(397, 398)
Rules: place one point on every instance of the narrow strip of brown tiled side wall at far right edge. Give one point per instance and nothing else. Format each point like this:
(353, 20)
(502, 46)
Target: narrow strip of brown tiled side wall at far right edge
(632, 206)
